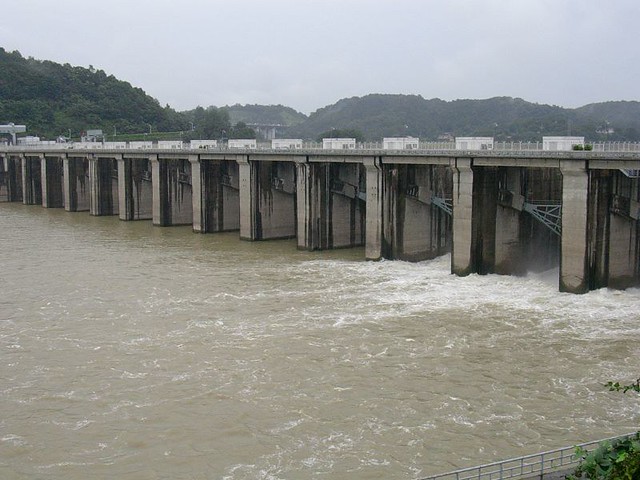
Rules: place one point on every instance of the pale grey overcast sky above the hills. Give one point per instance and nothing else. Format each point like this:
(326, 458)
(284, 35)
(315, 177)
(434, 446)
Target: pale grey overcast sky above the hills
(307, 54)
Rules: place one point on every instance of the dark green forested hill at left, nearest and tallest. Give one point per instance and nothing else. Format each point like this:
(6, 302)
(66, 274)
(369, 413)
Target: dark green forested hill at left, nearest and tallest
(52, 99)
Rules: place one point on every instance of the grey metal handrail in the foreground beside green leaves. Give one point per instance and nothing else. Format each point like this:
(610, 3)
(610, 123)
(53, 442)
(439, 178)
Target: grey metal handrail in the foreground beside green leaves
(528, 466)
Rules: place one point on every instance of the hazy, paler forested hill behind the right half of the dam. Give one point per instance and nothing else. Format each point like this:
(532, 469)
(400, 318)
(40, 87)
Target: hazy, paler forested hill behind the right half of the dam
(505, 118)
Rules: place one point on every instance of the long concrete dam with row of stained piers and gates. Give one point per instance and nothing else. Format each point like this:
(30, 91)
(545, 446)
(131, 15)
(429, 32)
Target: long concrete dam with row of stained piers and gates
(495, 211)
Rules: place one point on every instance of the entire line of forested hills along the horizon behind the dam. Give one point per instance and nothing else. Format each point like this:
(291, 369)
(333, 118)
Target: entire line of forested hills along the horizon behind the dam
(53, 99)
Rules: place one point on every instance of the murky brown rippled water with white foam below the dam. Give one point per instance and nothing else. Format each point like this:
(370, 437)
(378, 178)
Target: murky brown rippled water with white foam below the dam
(137, 352)
